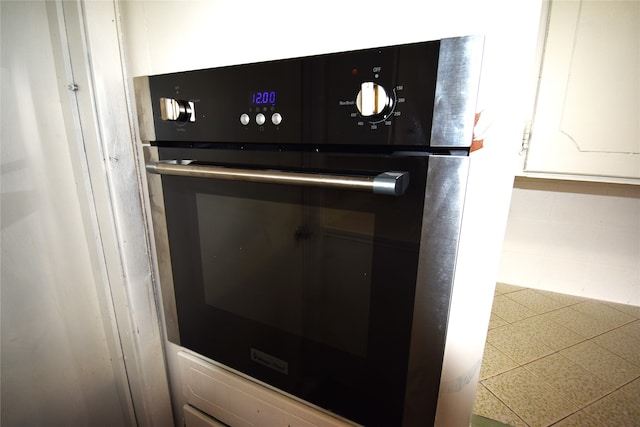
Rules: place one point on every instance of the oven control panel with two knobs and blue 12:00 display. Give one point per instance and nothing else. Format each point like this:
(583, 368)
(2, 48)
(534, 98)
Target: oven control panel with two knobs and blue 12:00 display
(390, 96)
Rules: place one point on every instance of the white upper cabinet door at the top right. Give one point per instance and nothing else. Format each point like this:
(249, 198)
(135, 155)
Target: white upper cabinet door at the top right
(587, 115)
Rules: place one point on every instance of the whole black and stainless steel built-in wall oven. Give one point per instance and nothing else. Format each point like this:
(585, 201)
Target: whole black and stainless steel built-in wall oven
(309, 210)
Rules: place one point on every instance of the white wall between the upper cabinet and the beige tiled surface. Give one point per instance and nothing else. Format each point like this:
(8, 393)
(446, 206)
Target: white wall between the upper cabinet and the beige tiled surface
(578, 238)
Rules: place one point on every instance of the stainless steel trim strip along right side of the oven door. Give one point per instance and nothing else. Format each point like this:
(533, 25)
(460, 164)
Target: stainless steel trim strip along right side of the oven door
(442, 218)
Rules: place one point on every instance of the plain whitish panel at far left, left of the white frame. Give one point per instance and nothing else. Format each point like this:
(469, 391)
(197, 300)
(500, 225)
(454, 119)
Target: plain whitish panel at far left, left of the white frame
(57, 367)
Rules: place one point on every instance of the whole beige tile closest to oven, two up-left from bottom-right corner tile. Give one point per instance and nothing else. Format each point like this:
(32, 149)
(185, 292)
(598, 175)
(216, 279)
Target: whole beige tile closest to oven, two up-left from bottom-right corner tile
(517, 345)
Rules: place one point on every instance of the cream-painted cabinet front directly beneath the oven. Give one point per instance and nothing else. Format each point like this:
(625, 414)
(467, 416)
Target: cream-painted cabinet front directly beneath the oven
(239, 402)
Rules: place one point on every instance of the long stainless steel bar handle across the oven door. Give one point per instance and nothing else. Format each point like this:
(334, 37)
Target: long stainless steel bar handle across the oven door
(388, 183)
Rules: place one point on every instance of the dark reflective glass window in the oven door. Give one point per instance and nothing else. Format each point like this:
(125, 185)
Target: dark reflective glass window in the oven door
(302, 269)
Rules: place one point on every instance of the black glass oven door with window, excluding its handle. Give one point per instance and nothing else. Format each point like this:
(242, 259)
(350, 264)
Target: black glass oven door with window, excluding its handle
(309, 290)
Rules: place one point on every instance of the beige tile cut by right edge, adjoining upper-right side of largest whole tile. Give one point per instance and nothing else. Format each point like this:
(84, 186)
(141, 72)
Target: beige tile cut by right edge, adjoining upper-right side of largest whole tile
(602, 363)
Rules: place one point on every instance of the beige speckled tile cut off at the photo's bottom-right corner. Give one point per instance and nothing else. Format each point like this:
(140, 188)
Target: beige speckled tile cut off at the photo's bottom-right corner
(616, 410)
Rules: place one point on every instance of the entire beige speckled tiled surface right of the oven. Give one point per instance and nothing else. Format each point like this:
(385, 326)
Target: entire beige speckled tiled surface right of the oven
(559, 360)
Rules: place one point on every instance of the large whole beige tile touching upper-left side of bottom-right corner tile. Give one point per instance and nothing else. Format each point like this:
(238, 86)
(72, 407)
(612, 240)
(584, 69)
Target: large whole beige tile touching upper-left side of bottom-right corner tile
(570, 380)
